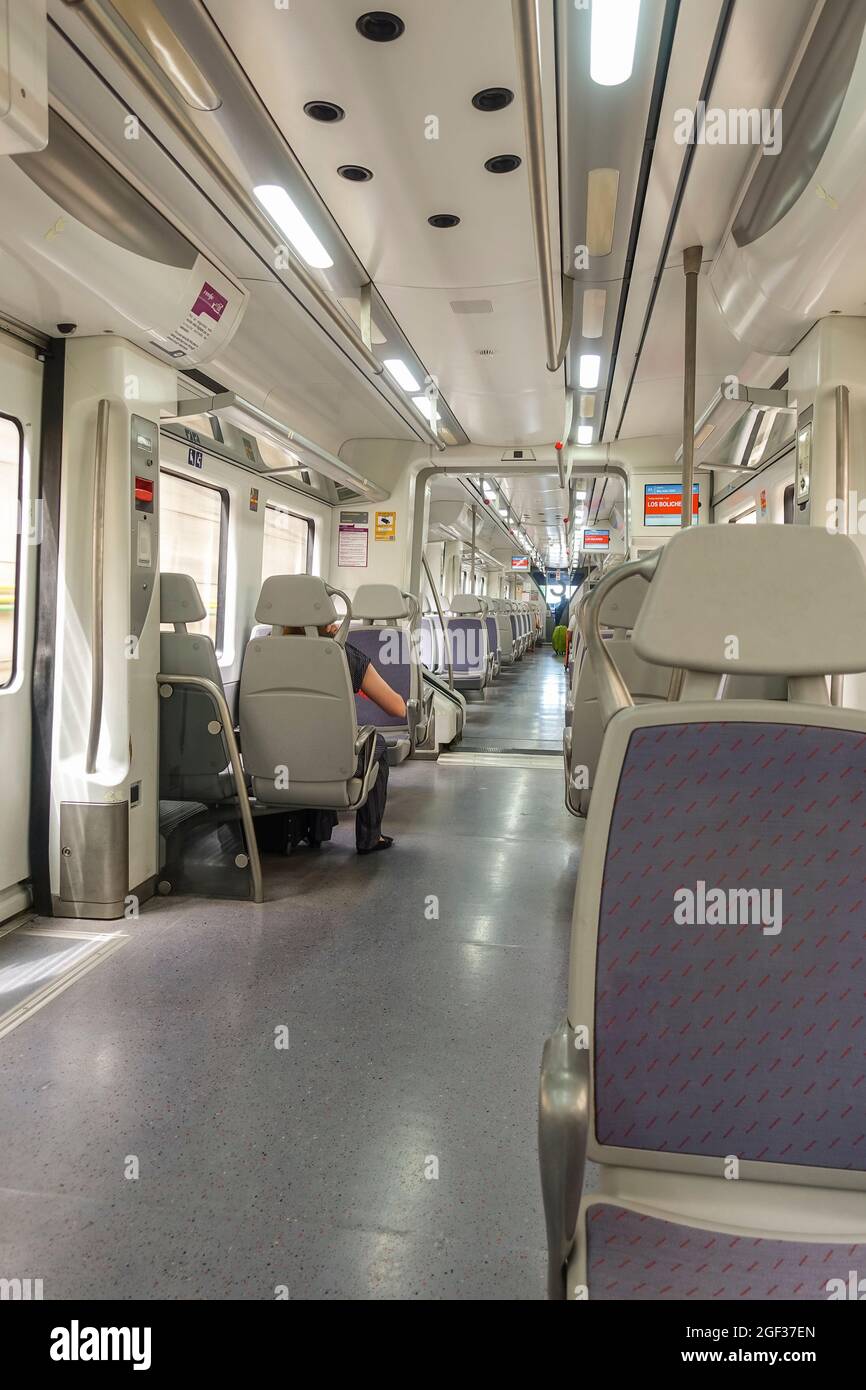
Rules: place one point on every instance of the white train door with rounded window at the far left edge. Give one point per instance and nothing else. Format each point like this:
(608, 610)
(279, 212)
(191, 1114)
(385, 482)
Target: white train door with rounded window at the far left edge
(20, 536)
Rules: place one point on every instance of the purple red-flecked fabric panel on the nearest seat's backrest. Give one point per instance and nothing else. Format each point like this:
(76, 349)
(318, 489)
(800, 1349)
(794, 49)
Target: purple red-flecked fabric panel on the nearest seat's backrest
(724, 1039)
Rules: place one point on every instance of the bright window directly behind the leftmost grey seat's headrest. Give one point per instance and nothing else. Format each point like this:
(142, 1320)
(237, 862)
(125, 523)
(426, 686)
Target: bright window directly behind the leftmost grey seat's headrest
(194, 541)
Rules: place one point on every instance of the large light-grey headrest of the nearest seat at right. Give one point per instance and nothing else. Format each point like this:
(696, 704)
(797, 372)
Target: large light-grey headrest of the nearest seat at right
(760, 601)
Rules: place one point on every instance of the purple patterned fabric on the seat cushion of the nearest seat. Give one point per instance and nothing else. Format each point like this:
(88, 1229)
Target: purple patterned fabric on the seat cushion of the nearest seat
(636, 1257)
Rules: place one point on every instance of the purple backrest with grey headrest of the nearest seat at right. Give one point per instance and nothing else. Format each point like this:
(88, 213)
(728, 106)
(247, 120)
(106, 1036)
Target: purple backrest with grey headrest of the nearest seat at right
(714, 936)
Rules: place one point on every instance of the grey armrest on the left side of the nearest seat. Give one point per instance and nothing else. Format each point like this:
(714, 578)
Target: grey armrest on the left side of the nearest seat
(564, 1129)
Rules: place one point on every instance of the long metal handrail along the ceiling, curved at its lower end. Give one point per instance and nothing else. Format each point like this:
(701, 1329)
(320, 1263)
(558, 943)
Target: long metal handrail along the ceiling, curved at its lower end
(529, 60)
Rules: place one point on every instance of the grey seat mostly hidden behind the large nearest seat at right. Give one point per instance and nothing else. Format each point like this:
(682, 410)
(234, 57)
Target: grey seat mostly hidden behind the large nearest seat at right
(646, 682)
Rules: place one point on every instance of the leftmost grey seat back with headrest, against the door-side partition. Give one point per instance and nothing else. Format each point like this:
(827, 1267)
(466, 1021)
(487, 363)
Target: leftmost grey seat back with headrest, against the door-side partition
(193, 755)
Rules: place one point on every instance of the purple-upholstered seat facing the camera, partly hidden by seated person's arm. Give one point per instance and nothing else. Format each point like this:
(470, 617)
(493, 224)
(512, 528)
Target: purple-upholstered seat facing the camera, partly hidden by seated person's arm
(386, 629)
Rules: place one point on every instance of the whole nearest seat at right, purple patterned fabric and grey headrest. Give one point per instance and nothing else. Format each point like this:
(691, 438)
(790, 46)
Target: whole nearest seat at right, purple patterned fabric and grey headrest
(710, 1067)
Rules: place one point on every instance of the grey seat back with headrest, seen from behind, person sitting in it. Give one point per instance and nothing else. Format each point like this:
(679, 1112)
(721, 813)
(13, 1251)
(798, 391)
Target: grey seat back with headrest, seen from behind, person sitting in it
(302, 744)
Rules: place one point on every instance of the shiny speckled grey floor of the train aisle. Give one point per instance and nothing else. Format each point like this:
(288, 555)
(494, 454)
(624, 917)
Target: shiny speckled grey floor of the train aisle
(411, 1040)
